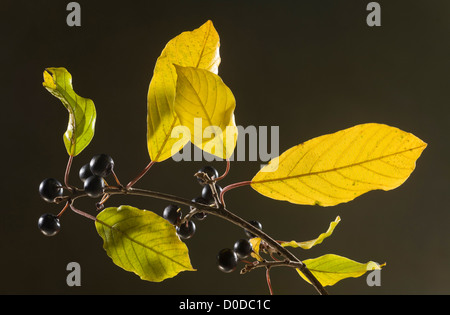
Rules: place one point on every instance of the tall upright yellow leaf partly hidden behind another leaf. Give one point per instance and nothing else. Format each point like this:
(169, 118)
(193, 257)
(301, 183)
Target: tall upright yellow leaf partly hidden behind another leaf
(198, 48)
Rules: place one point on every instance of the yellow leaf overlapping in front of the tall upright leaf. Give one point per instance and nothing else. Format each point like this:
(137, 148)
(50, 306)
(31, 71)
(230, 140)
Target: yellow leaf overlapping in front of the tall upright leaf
(203, 103)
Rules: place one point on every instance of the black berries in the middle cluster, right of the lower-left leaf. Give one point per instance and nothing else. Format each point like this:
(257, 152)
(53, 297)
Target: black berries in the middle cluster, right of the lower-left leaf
(173, 213)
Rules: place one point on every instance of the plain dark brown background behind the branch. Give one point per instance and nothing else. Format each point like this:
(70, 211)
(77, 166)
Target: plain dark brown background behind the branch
(310, 67)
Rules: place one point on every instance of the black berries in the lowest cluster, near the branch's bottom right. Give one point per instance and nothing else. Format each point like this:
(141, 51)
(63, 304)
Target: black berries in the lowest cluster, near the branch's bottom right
(227, 258)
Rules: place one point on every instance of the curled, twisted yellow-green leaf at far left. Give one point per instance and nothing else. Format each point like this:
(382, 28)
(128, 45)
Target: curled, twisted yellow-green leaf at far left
(82, 114)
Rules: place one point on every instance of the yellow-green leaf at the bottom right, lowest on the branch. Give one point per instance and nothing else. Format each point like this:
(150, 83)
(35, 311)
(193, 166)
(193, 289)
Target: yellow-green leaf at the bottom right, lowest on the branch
(330, 268)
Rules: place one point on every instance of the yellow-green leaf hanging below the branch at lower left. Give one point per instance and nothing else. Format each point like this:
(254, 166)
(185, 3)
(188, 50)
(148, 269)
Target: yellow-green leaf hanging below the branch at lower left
(142, 242)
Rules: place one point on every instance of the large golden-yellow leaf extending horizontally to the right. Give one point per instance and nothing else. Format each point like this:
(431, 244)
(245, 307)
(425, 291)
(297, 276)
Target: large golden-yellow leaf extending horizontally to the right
(339, 167)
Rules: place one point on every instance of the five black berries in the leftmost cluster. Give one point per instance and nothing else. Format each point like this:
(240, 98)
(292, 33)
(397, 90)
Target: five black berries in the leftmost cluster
(92, 174)
